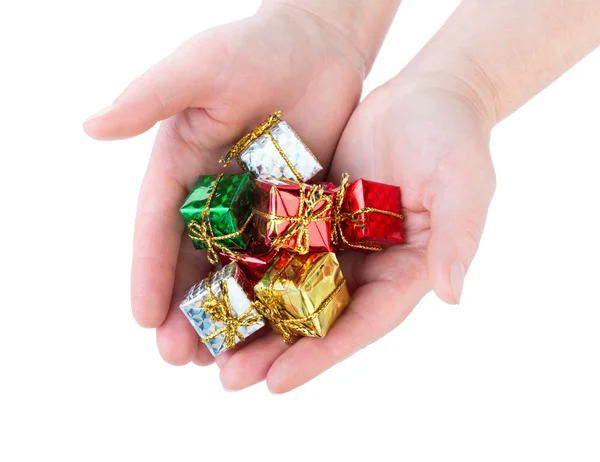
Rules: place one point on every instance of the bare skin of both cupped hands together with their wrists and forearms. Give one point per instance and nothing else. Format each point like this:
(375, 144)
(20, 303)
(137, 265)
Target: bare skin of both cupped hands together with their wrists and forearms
(426, 130)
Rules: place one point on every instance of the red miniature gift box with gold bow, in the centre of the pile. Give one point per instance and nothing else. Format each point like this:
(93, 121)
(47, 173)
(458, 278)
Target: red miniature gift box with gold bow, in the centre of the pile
(295, 217)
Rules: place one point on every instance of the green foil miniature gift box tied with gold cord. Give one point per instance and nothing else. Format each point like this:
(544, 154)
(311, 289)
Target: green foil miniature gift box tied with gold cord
(218, 211)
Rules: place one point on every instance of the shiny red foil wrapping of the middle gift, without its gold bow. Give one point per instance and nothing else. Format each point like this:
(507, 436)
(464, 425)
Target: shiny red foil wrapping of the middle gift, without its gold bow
(284, 201)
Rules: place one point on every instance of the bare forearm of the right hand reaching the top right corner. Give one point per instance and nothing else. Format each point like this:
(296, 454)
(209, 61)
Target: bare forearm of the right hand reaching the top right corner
(506, 51)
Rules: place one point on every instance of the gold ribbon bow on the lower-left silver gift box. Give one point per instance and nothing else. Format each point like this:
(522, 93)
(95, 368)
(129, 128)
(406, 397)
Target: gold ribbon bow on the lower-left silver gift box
(220, 311)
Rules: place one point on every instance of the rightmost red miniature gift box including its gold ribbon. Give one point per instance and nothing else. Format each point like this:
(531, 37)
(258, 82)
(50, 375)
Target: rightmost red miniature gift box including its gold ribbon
(368, 215)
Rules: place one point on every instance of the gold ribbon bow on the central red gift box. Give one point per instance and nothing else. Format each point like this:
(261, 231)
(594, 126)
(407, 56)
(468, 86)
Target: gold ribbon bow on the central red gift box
(310, 198)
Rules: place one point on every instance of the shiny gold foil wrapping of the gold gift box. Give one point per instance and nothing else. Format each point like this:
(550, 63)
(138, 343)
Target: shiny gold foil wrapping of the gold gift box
(301, 285)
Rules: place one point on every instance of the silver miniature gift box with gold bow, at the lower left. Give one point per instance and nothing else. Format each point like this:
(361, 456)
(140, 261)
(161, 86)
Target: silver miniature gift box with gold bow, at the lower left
(220, 310)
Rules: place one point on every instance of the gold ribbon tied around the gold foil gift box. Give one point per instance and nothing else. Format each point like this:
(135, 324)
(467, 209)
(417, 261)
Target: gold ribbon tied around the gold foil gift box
(281, 320)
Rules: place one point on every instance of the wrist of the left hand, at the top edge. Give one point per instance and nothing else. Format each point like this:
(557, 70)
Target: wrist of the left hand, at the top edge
(356, 27)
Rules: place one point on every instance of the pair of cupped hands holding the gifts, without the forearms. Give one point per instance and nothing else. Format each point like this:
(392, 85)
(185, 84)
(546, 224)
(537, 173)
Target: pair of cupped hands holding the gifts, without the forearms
(426, 133)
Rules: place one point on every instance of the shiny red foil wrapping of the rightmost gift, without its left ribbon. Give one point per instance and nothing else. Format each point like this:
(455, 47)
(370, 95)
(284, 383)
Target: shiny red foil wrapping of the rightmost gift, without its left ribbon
(372, 228)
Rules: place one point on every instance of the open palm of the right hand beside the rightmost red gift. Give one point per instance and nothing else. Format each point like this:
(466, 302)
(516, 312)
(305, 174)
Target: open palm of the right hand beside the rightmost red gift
(432, 143)
